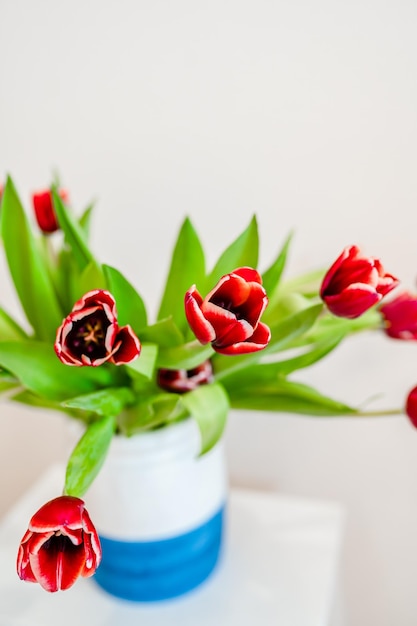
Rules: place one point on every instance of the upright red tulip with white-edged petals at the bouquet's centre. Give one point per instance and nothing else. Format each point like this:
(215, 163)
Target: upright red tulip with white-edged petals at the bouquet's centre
(228, 316)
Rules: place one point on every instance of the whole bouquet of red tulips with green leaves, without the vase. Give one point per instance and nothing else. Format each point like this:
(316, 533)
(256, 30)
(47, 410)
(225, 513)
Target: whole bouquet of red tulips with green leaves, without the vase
(226, 338)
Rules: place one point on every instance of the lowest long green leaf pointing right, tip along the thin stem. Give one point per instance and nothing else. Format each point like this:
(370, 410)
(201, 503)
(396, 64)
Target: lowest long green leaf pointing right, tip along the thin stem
(288, 397)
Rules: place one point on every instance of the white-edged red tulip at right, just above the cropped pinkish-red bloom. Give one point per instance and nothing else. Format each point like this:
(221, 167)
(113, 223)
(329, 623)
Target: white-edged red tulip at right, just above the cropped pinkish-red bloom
(355, 283)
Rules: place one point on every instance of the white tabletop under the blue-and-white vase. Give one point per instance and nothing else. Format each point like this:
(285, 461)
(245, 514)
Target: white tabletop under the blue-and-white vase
(279, 567)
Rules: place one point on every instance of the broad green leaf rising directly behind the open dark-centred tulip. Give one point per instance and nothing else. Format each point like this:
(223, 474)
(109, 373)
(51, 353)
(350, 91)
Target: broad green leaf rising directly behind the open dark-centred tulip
(130, 307)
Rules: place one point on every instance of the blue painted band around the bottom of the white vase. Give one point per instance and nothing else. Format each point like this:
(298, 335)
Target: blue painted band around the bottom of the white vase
(147, 571)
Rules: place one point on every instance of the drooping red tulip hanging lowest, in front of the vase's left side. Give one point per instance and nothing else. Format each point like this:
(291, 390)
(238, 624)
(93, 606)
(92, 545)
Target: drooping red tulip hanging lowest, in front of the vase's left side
(60, 545)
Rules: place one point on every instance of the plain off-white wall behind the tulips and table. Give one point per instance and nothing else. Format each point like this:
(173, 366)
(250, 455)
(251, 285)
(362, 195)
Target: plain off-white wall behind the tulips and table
(303, 112)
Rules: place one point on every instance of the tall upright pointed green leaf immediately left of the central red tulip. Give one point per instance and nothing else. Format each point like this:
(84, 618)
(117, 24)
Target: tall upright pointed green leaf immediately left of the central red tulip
(187, 269)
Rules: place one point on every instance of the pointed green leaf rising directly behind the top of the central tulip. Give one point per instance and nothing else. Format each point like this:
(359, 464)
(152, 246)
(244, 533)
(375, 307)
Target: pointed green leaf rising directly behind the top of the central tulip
(242, 252)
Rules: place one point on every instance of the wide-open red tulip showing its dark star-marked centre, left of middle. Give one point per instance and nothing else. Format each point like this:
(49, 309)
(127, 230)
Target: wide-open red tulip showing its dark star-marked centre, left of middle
(90, 334)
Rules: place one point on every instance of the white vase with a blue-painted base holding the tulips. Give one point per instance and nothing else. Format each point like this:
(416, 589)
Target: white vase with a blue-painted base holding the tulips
(159, 508)
